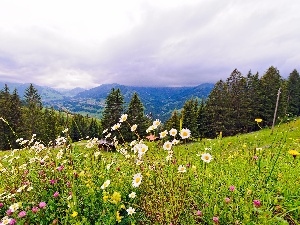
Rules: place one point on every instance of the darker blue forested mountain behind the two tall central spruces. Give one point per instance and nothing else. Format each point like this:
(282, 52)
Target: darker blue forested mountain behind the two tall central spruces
(159, 101)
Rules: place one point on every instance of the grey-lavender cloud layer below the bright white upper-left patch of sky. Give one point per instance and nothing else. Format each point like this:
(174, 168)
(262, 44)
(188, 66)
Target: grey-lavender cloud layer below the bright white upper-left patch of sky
(178, 46)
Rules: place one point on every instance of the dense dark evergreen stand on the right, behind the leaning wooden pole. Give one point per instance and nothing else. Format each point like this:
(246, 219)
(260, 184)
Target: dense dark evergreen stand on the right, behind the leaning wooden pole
(234, 104)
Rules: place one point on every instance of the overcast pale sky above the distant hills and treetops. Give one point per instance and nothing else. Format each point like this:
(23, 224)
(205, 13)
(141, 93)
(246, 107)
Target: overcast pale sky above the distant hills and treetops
(86, 43)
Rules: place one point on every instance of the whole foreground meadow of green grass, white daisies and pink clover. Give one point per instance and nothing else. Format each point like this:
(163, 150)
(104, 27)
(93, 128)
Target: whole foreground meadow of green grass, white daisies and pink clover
(246, 179)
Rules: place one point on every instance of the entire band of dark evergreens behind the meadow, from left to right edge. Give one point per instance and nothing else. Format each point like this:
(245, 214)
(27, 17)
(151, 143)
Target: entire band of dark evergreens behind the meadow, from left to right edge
(231, 108)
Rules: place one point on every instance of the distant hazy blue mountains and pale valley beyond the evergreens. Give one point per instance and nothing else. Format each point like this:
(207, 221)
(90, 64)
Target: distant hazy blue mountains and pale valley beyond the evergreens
(158, 101)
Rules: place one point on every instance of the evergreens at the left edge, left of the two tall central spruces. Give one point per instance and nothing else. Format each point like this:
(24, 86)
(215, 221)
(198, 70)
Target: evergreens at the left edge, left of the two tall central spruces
(23, 118)
